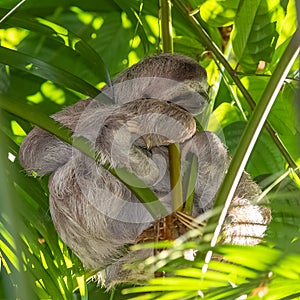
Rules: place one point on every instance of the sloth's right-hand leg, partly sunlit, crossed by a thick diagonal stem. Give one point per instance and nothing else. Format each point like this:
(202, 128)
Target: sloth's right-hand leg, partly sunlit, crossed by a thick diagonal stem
(246, 221)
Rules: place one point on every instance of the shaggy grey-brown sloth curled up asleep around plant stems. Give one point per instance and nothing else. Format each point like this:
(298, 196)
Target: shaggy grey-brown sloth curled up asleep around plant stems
(95, 214)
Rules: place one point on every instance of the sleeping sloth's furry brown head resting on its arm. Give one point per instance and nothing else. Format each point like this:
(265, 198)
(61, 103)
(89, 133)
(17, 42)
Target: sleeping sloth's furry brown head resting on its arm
(171, 77)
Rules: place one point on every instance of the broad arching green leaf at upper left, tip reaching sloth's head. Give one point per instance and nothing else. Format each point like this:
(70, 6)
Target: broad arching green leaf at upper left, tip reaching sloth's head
(71, 53)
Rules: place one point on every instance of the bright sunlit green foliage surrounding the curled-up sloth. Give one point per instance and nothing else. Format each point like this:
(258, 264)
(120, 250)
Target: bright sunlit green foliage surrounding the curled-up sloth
(55, 52)
